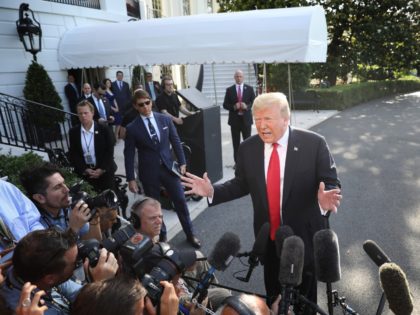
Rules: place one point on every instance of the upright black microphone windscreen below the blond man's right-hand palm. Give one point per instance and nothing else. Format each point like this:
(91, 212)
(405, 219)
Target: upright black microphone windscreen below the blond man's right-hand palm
(327, 256)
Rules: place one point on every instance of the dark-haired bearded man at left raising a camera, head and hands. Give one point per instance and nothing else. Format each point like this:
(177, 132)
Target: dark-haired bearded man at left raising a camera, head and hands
(46, 187)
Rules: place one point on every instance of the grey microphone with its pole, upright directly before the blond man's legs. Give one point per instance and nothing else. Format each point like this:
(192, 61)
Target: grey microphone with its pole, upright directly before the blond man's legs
(291, 268)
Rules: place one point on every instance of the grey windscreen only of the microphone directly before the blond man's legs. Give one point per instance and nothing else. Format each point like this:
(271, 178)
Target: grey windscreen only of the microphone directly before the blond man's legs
(291, 261)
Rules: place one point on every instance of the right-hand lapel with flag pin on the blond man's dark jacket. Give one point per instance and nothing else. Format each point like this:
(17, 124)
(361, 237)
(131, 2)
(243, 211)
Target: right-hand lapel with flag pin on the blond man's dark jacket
(292, 158)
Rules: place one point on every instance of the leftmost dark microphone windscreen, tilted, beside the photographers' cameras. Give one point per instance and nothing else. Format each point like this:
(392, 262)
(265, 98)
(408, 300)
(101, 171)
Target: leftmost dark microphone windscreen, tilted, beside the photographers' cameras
(224, 251)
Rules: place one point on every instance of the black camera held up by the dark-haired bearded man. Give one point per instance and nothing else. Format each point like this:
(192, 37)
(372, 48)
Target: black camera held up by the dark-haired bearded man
(107, 198)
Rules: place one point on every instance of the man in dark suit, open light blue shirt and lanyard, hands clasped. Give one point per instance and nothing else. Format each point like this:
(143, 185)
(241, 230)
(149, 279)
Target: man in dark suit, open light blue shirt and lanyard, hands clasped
(91, 151)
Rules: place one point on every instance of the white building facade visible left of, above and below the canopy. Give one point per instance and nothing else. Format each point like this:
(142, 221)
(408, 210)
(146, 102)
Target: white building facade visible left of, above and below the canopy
(55, 20)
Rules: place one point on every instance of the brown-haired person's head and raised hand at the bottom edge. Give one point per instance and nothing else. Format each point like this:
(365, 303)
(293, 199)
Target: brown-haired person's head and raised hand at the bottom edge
(122, 295)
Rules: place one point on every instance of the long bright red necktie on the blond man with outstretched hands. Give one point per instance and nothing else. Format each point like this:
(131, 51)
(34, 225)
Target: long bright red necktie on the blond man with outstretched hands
(274, 191)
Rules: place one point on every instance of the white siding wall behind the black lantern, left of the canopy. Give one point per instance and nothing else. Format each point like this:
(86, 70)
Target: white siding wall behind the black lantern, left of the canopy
(55, 20)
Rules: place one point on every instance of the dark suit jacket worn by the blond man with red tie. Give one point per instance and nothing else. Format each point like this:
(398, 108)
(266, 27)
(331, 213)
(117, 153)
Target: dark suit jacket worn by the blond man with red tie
(308, 162)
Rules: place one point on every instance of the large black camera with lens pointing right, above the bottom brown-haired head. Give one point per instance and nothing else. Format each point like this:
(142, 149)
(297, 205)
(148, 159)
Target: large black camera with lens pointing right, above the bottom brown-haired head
(155, 263)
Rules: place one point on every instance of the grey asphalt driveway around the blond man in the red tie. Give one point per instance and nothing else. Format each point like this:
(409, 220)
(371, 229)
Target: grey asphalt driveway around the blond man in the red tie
(376, 147)
